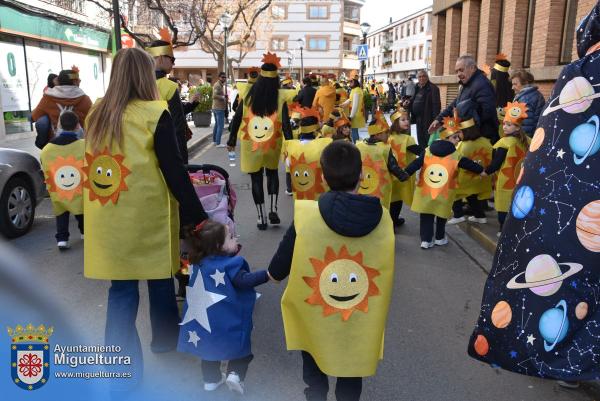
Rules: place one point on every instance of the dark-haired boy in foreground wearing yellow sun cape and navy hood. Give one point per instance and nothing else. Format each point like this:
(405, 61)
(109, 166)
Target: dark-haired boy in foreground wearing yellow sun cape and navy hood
(340, 285)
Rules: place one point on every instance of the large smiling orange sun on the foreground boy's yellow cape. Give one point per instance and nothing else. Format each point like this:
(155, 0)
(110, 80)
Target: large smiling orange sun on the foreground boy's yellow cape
(342, 283)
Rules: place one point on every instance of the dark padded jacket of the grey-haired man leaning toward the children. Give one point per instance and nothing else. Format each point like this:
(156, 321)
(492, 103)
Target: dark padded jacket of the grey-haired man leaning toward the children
(479, 89)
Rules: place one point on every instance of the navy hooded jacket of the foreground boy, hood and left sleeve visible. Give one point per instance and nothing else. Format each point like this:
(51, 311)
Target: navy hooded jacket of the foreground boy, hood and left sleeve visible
(350, 215)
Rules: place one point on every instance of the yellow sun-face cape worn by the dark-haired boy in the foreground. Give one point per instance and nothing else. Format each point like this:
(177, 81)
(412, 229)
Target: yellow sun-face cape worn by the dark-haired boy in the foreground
(338, 291)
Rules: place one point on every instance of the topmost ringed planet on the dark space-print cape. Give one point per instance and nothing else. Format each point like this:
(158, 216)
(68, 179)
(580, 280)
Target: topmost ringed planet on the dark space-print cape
(575, 97)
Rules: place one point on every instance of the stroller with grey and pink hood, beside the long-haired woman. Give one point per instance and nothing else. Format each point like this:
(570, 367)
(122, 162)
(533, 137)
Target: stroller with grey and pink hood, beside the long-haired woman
(218, 199)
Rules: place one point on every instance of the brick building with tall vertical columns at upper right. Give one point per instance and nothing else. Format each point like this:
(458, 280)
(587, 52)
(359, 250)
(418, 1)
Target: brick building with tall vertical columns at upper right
(538, 35)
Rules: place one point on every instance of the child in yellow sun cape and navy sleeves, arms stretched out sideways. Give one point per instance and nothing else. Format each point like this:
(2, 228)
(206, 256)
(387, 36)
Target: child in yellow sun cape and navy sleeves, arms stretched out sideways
(435, 191)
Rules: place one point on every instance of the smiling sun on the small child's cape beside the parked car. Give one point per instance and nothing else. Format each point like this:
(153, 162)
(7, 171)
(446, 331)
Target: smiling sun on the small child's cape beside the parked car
(64, 177)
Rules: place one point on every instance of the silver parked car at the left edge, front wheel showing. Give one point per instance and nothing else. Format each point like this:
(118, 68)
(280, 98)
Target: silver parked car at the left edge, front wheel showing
(22, 188)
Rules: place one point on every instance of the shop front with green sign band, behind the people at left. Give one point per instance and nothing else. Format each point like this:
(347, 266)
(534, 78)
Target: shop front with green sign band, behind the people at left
(38, 37)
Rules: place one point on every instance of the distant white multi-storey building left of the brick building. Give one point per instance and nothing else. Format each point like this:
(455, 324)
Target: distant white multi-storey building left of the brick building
(401, 48)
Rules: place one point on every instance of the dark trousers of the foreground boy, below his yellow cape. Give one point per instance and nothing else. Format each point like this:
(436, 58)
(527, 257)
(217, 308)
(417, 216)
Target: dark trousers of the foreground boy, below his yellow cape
(346, 388)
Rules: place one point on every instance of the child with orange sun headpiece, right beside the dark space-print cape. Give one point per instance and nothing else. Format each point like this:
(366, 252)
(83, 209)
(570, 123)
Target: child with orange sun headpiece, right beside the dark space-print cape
(508, 156)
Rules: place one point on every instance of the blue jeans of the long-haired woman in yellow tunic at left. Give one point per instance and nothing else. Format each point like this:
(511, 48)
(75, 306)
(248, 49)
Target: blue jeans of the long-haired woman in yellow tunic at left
(122, 308)
